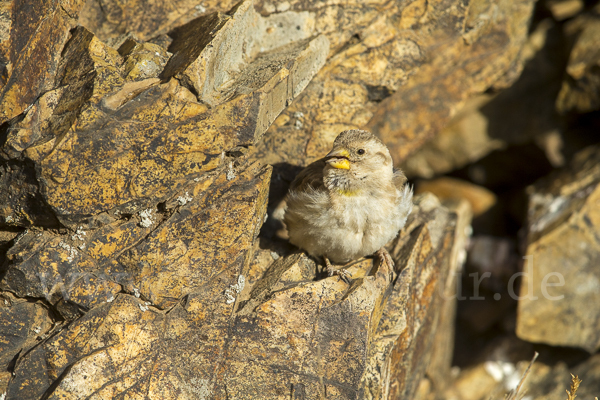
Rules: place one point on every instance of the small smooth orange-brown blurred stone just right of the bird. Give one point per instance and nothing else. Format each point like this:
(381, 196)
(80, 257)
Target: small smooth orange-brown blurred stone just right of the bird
(444, 188)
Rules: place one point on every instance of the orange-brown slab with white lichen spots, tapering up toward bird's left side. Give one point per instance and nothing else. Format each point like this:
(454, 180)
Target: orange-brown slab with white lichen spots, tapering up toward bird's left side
(162, 262)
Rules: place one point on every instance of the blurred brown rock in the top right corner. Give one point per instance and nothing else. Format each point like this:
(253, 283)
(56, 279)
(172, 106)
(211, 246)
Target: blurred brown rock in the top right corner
(580, 88)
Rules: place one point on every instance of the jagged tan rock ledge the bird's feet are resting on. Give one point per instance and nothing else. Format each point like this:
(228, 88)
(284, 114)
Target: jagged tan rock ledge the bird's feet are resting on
(286, 332)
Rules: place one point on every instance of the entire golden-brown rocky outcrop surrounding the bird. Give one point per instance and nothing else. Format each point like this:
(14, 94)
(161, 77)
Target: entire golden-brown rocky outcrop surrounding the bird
(135, 185)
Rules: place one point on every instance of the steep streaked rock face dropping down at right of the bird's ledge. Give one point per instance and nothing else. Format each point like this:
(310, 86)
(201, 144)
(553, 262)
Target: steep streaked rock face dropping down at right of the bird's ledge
(413, 327)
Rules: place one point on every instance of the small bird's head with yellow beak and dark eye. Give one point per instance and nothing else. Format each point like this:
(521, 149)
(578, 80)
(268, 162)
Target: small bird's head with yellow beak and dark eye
(358, 155)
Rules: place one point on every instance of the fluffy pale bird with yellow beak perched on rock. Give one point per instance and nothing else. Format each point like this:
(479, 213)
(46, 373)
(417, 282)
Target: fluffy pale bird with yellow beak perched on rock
(348, 204)
